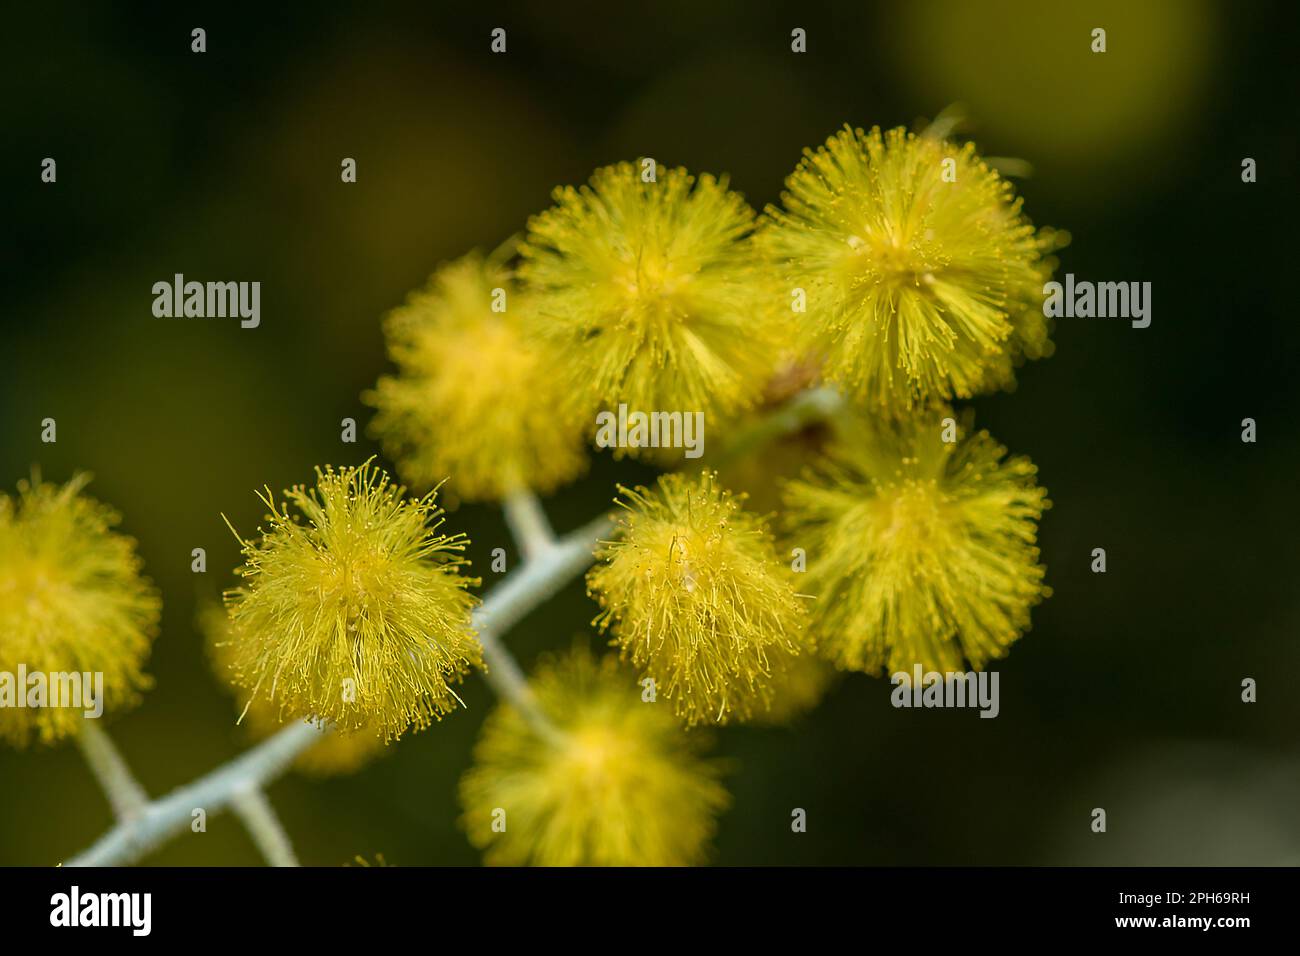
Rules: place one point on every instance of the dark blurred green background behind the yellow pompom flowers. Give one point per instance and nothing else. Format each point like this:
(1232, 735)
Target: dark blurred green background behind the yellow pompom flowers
(227, 166)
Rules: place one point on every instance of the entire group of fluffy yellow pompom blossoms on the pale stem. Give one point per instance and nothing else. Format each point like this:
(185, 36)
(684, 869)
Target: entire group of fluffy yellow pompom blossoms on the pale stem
(900, 270)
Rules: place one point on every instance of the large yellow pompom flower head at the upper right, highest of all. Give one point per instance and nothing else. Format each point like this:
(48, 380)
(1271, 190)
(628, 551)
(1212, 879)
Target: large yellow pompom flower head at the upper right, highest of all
(922, 275)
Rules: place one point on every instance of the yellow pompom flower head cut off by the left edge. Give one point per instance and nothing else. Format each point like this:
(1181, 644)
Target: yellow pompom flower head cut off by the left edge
(72, 602)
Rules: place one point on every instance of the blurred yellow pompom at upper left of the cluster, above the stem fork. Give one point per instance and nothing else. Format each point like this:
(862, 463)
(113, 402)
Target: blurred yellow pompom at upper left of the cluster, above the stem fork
(475, 397)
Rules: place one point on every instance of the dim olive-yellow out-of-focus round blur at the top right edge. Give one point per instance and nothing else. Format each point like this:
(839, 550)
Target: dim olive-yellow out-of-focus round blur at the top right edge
(1094, 115)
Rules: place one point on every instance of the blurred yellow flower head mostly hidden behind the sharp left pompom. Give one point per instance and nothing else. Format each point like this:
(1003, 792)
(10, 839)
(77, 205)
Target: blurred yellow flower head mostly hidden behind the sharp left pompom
(339, 752)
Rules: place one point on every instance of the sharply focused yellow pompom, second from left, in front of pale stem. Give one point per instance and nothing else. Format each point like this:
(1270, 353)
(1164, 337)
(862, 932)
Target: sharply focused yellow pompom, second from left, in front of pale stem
(359, 616)
